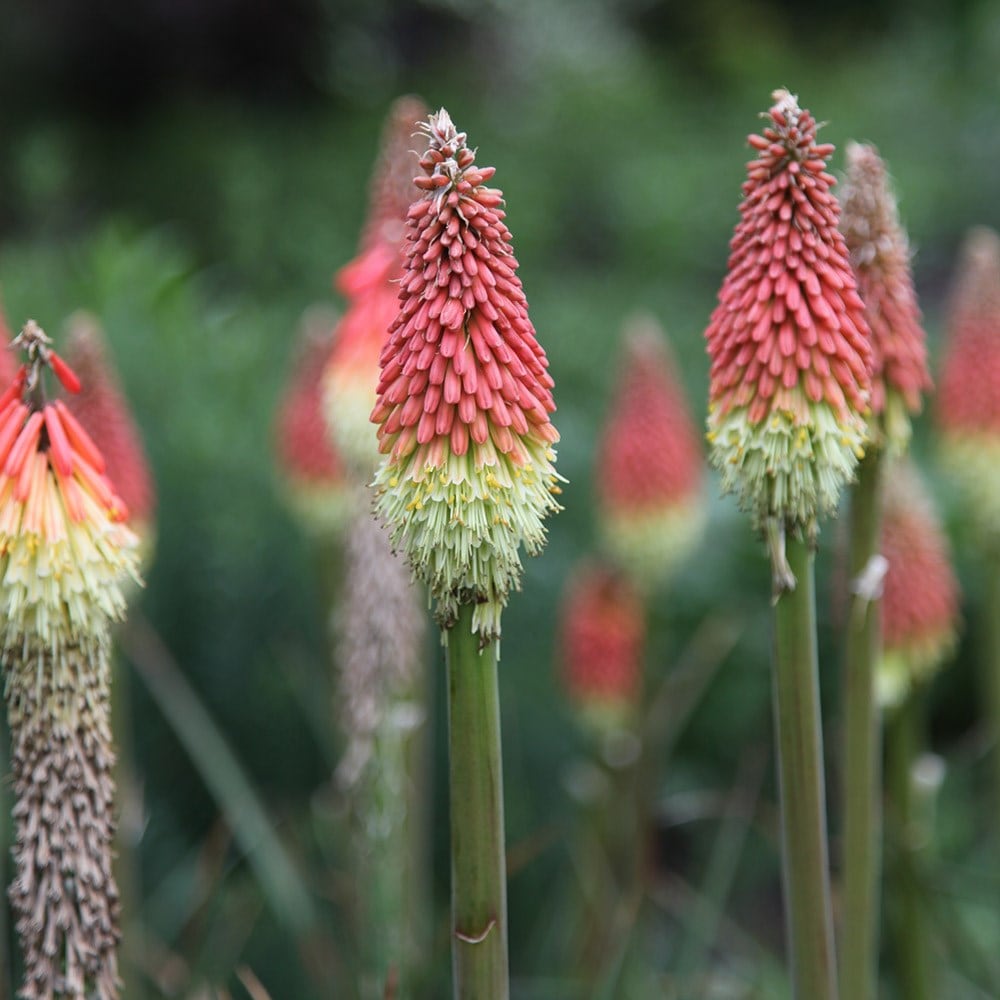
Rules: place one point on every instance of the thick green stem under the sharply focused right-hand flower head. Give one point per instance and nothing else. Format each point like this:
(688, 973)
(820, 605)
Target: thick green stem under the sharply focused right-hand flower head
(800, 764)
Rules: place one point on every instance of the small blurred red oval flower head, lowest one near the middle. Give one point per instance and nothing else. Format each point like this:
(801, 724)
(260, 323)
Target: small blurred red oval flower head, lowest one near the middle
(602, 632)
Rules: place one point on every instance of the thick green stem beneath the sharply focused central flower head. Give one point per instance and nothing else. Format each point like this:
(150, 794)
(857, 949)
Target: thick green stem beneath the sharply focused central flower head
(478, 864)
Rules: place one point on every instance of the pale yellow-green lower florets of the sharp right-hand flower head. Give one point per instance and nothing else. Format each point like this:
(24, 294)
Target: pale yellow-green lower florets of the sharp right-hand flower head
(791, 465)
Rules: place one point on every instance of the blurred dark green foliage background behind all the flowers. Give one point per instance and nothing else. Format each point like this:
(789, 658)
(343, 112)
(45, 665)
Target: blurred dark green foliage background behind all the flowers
(194, 173)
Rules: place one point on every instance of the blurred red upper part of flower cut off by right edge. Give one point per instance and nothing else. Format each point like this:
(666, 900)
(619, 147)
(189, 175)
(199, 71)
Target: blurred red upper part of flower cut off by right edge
(969, 396)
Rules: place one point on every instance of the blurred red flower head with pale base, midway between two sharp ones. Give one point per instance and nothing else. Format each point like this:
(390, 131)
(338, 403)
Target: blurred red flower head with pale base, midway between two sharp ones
(649, 464)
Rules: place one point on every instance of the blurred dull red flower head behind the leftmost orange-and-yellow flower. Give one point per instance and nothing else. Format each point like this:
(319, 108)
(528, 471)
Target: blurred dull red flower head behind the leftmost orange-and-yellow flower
(104, 412)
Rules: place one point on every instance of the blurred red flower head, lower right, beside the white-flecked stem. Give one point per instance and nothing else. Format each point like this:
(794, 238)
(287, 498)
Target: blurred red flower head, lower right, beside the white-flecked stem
(920, 595)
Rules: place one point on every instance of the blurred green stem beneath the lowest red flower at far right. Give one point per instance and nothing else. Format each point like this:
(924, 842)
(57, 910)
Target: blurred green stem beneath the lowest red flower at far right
(910, 942)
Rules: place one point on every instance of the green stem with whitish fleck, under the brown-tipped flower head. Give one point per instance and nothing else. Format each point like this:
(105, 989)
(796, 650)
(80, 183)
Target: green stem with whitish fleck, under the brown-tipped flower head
(862, 746)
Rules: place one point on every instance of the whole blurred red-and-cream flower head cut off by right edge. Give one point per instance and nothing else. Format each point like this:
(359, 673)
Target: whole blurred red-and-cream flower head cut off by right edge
(968, 409)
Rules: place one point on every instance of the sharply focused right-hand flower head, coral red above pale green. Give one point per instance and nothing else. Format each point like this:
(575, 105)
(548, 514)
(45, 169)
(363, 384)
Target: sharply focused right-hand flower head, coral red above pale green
(791, 359)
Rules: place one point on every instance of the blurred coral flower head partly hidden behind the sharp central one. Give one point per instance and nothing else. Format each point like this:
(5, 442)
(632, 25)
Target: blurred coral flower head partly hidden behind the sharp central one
(371, 285)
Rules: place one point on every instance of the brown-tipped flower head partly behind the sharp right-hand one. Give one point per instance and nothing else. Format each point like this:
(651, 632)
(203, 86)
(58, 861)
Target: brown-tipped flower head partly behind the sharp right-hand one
(880, 256)
